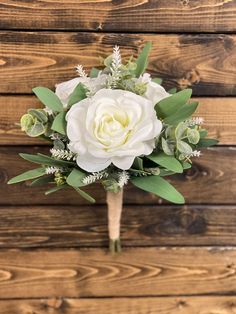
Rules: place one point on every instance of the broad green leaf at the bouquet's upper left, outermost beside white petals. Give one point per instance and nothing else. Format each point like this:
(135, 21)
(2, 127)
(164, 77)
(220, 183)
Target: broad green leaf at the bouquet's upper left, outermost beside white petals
(48, 98)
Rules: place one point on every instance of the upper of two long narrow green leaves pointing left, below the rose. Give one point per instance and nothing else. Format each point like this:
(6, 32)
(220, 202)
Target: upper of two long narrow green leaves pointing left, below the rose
(46, 160)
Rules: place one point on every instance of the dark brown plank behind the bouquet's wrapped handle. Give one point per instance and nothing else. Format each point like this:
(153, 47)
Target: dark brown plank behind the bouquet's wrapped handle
(141, 225)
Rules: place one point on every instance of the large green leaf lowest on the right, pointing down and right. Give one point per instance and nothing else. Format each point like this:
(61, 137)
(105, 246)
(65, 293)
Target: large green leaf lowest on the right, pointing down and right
(160, 187)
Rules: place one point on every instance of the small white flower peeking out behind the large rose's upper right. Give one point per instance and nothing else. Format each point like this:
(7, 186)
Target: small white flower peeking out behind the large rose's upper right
(155, 92)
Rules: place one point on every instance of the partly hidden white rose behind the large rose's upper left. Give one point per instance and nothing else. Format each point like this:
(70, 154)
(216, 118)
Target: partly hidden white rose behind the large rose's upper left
(65, 89)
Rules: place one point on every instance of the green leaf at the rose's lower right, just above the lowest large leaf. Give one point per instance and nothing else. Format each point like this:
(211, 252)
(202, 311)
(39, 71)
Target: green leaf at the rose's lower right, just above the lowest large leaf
(168, 162)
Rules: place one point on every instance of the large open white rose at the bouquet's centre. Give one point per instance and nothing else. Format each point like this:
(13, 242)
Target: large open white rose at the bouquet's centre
(113, 126)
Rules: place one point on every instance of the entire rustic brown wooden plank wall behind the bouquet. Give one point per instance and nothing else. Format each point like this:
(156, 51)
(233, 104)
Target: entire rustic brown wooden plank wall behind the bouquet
(176, 259)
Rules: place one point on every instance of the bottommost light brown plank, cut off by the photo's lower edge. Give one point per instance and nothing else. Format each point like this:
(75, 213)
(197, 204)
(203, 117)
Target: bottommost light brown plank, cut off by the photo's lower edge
(154, 305)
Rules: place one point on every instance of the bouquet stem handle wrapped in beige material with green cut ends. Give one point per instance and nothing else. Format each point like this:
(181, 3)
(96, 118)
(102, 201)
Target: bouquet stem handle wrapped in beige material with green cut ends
(114, 204)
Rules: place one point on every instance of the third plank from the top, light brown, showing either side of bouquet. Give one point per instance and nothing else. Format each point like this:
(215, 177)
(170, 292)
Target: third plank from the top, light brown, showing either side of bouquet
(219, 115)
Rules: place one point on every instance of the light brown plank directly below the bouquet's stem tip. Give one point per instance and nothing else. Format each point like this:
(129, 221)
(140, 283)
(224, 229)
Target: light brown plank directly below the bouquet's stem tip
(135, 272)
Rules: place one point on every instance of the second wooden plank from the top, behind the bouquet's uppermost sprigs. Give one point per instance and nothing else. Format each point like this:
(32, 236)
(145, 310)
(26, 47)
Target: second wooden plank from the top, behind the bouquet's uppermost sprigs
(207, 63)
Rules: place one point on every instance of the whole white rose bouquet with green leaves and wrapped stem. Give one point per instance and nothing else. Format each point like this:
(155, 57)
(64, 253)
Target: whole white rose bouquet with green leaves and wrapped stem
(113, 126)
